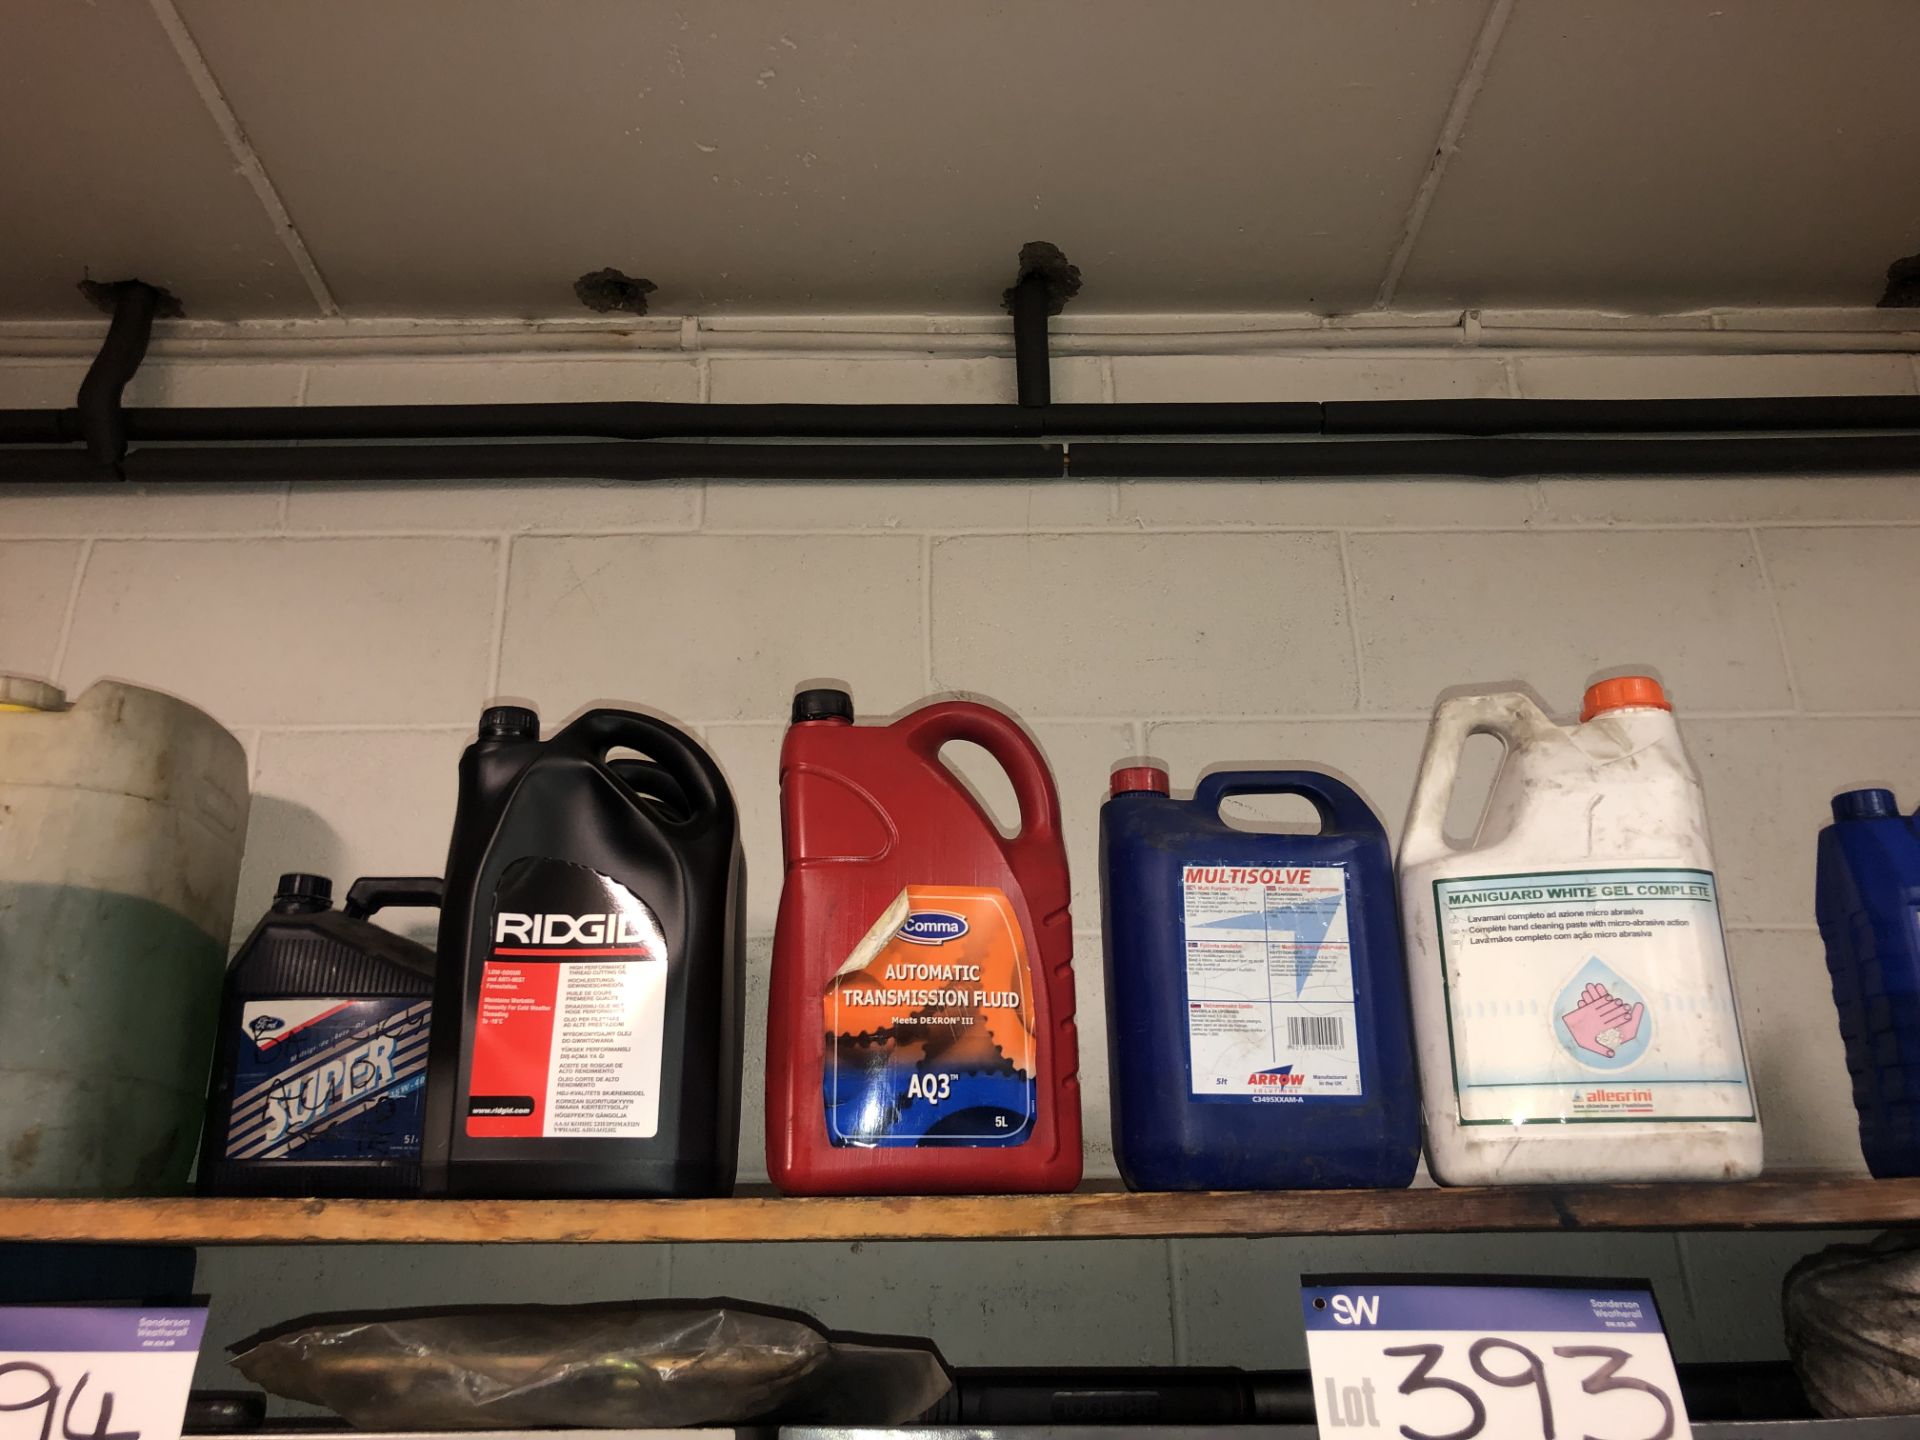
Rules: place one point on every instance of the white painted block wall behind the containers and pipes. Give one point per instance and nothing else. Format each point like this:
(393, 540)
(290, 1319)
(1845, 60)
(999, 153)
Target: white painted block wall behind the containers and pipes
(350, 636)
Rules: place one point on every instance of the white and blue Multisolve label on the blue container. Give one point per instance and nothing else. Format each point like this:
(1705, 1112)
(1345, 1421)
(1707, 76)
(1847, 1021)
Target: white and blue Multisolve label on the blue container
(1270, 984)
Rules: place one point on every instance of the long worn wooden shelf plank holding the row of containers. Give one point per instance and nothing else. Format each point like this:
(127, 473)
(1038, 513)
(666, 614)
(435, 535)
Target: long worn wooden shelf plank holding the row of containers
(1748, 1207)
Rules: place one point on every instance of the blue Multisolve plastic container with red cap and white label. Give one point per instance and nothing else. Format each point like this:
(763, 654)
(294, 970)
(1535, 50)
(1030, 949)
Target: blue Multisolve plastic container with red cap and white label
(1257, 994)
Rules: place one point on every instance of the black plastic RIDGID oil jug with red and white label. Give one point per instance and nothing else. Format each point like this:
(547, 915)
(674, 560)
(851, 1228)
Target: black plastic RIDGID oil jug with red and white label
(588, 1015)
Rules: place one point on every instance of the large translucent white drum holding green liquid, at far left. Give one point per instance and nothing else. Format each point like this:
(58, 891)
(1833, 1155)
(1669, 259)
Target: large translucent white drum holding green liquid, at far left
(122, 823)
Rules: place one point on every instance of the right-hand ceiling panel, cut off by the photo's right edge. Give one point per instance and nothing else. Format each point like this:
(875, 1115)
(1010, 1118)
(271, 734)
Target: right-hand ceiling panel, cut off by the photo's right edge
(1689, 153)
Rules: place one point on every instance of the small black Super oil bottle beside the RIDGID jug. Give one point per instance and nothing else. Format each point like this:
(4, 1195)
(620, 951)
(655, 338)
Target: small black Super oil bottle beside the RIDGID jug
(320, 1076)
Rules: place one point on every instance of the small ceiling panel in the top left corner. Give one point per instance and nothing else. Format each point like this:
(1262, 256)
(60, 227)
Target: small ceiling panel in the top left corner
(112, 168)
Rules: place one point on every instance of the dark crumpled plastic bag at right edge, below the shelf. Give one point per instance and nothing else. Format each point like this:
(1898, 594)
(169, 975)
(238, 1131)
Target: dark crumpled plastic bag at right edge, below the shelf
(1854, 1328)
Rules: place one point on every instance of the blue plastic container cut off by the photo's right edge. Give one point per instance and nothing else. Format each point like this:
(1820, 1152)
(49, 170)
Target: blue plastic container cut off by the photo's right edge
(1867, 900)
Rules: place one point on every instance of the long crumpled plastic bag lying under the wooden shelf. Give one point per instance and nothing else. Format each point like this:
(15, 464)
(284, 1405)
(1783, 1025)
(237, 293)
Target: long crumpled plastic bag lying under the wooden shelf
(623, 1366)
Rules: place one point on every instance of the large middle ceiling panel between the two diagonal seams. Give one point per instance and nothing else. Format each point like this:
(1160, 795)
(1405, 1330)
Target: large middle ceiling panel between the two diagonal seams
(475, 156)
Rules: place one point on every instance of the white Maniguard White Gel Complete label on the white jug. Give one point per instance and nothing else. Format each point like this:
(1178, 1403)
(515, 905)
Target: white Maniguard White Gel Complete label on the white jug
(1591, 996)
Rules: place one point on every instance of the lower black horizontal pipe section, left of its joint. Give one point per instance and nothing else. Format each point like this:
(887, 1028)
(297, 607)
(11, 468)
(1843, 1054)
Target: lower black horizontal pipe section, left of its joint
(617, 460)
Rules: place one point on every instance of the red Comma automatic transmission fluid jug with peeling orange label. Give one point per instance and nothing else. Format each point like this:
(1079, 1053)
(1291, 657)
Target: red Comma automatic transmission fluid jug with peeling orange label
(921, 1036)
